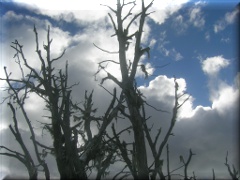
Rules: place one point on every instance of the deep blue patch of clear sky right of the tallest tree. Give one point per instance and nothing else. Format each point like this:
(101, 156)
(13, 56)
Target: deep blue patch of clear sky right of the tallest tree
(193, 45)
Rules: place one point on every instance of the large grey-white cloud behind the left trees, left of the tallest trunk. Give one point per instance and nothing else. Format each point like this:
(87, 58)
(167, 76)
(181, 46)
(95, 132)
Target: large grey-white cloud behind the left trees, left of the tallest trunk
(82, 57)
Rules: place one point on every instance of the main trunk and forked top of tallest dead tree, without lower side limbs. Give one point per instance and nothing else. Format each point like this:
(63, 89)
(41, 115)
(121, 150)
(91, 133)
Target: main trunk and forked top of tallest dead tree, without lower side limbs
(128, 71)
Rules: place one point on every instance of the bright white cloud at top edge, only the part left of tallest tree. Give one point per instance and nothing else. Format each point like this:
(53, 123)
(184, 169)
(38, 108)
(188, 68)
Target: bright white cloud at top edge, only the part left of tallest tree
(69, 10)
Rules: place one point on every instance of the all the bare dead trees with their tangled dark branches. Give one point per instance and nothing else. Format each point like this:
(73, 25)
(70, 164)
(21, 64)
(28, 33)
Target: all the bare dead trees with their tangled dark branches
(77, 152)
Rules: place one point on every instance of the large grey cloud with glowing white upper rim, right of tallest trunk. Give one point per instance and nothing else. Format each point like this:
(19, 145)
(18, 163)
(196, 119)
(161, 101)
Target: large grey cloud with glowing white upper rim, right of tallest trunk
(198, 128)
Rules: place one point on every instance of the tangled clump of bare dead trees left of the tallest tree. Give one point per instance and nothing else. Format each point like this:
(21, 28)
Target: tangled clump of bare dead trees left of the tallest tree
(68, 121)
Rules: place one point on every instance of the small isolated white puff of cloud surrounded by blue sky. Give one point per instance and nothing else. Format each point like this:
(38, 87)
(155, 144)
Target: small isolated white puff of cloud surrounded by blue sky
(212, 65)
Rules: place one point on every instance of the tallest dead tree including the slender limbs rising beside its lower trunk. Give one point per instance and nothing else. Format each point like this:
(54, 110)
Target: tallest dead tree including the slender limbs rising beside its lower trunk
(133, 97)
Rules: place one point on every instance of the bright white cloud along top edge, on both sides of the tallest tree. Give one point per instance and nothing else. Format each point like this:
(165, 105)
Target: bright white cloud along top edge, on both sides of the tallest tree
(57, 9)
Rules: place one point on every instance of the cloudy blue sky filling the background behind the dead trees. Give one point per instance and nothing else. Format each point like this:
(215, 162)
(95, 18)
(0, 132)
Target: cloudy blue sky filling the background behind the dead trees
(196, 40)
